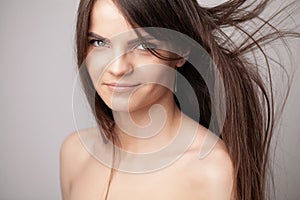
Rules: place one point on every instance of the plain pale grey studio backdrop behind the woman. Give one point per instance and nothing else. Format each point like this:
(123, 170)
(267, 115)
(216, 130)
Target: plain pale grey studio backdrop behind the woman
(37, 72)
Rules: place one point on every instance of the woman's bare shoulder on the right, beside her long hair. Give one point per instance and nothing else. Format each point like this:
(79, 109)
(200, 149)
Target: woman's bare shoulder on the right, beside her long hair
(213, 173)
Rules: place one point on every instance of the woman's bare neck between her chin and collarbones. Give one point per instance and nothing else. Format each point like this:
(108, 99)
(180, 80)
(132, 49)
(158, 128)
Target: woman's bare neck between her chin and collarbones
(147, 129)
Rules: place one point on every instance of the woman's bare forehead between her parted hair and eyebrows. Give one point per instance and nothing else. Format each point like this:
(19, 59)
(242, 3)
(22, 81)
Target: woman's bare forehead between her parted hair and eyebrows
(106, 20)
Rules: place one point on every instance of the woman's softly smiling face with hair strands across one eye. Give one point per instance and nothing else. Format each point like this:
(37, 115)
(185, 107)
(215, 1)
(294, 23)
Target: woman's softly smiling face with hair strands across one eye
(124, 73)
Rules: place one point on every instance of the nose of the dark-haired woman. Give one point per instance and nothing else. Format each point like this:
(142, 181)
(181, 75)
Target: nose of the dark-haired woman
(121, 65)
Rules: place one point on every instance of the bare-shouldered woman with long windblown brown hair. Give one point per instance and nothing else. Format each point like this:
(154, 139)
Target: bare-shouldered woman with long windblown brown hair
(135, 55)
